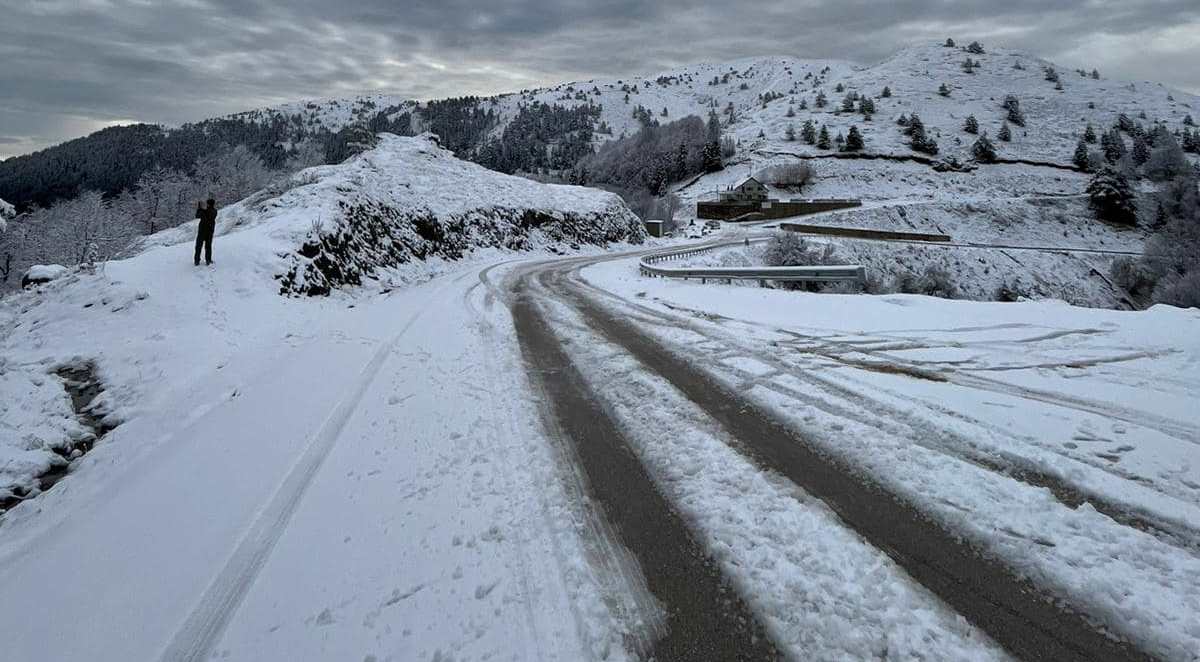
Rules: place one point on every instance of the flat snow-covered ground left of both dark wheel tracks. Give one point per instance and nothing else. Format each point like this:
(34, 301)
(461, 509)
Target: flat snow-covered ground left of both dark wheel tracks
(364, 482)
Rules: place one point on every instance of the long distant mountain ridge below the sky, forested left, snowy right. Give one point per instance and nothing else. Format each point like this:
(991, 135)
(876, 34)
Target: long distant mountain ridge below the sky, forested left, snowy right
(764, 104)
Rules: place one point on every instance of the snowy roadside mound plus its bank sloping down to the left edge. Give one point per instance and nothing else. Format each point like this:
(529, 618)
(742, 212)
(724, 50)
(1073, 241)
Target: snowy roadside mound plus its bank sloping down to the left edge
(404, 212)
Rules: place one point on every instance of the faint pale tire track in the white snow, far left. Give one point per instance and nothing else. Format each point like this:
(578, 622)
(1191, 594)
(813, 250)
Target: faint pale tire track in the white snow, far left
(202, 629)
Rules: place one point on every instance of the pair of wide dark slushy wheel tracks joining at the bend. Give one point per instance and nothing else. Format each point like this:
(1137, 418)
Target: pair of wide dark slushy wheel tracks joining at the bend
(1028, 621)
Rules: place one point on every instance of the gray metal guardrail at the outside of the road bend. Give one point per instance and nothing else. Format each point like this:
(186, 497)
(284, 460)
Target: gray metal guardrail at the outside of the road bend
(848, 274)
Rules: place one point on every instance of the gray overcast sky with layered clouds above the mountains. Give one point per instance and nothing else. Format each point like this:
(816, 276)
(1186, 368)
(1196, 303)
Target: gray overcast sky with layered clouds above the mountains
(69, 68)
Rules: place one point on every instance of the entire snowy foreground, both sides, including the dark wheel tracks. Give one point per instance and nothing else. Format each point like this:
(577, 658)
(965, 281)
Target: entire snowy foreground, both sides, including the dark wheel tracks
(394, 477)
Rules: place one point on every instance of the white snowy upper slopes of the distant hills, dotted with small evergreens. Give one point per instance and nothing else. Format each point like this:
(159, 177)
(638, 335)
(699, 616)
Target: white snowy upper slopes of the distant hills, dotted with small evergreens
(914, 76)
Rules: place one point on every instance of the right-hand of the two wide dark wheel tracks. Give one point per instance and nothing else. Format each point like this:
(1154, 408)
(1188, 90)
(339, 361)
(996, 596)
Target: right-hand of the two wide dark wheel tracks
(1019, 616)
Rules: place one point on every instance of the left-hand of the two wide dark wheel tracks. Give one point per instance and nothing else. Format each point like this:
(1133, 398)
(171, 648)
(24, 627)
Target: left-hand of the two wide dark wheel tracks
(705, 617)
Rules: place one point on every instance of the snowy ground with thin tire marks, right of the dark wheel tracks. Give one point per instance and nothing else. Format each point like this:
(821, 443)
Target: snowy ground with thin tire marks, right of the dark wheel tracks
(1061, 440)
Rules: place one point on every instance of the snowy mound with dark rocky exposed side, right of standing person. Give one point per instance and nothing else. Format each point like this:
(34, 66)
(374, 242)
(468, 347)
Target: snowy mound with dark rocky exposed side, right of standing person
(407, 200)
